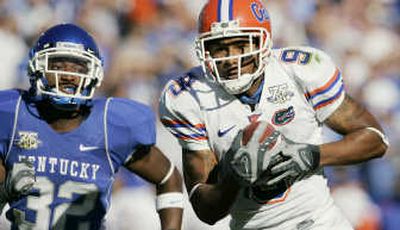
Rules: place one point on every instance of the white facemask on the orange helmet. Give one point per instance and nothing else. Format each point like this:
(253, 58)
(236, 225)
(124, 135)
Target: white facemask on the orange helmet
(259, 44)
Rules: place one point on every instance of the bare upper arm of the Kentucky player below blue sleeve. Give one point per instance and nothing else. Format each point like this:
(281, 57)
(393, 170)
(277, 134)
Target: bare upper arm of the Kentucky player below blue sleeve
(149, 163)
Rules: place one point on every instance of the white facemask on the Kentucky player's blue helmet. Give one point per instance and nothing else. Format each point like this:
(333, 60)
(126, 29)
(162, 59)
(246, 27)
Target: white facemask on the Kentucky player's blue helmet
(47, 80)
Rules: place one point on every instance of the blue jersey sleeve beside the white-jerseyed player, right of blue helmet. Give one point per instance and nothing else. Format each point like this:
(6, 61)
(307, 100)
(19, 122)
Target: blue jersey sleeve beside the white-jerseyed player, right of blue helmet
(131, 124)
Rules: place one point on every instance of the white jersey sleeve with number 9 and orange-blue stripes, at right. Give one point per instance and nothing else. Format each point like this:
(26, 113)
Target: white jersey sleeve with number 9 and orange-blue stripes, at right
(318, 76)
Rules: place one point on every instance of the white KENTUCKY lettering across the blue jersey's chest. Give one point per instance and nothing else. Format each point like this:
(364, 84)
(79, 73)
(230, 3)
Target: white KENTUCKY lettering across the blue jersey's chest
(63, 166)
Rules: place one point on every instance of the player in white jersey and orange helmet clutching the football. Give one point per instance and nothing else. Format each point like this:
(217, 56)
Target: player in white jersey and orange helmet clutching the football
(295, 89)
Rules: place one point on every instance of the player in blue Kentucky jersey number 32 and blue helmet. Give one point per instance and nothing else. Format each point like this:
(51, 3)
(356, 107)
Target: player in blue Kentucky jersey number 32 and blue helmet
(60, 149)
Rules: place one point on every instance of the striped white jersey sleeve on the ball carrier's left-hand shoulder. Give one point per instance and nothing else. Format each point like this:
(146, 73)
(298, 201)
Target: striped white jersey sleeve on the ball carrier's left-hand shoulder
(180, 113)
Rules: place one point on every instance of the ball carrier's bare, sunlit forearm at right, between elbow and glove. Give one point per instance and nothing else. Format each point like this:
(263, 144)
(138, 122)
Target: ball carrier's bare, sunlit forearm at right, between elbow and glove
(356, 147)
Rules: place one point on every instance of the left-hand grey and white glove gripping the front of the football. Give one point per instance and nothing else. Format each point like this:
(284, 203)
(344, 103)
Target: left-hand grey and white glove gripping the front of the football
(247, 162)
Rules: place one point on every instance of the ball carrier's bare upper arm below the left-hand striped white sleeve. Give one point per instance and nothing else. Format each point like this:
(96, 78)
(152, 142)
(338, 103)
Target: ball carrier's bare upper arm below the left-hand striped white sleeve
(198, 166)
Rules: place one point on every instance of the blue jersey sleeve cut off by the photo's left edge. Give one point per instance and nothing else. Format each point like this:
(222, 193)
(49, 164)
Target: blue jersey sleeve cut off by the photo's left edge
(8, 101)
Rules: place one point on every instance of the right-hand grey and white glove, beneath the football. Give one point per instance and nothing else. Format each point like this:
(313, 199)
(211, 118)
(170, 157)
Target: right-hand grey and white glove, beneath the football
(292, 163)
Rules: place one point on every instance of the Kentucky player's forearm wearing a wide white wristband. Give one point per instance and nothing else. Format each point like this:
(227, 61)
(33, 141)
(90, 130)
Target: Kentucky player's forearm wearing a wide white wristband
(170, 202)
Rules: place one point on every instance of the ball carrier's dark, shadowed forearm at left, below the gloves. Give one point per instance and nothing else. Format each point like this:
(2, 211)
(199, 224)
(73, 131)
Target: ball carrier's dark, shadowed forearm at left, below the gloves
(213, 202)
